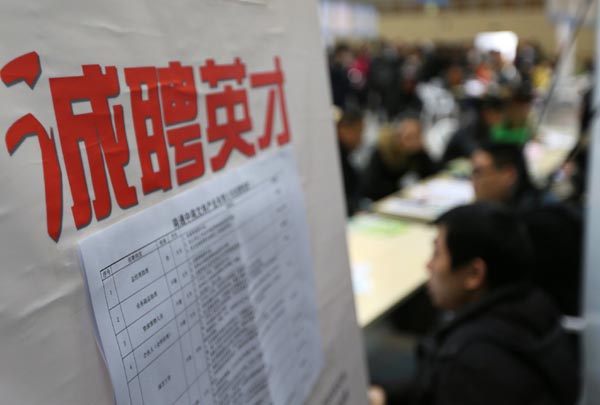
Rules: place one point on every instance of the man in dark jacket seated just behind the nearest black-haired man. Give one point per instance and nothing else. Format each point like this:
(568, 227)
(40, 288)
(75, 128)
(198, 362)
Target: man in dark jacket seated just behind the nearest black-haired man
(556, 229)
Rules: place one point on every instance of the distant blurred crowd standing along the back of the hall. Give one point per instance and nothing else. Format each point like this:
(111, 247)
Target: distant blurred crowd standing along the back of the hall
(384, 77)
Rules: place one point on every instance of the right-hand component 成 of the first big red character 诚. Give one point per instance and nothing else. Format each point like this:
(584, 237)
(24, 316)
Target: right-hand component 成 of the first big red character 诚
(103, 142)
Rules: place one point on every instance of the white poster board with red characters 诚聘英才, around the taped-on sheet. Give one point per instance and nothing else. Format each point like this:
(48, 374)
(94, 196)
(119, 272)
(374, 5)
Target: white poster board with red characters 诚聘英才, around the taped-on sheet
(111, 108)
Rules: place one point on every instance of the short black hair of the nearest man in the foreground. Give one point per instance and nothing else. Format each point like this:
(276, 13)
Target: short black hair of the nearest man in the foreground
(492, 233)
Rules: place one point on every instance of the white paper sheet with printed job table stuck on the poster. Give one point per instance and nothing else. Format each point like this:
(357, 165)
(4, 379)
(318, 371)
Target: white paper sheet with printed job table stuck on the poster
(209, 297)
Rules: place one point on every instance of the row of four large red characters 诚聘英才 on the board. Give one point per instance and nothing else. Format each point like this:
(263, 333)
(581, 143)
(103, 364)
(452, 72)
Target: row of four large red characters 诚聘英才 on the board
(164, 110)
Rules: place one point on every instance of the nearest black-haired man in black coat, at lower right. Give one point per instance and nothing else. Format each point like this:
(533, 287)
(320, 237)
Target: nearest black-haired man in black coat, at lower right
(502, 342)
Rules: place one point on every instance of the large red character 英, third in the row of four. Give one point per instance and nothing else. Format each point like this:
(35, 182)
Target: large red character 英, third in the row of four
(230, 131)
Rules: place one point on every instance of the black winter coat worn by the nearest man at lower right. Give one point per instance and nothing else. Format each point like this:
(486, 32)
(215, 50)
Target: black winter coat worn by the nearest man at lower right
(507, 349)
